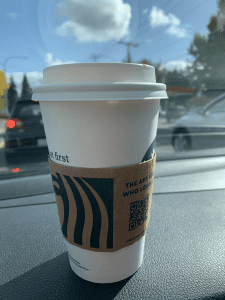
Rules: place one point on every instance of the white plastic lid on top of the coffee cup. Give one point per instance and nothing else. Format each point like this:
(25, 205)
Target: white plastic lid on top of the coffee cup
(99, 81)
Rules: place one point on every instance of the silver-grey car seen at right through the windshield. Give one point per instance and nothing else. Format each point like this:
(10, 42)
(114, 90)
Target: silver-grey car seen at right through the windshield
(201, 128)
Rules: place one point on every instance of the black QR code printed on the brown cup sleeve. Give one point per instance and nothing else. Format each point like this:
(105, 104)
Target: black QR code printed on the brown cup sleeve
(138, 213)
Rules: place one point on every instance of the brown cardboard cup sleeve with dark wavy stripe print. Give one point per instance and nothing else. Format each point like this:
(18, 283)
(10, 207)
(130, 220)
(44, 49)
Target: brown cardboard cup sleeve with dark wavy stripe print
(103, 209)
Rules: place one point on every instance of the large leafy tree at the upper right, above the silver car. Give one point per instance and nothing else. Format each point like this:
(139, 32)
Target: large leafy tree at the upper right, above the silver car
(208, 69)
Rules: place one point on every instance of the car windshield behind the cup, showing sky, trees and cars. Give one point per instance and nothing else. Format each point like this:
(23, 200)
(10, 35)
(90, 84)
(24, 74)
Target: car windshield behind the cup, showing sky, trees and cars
(183, 40)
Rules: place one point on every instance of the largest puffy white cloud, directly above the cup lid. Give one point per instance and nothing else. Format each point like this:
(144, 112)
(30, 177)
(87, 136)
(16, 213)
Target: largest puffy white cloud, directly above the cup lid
(91, 20)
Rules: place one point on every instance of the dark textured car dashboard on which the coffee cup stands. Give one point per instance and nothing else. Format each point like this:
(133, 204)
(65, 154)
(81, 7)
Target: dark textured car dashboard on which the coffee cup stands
(184, 254)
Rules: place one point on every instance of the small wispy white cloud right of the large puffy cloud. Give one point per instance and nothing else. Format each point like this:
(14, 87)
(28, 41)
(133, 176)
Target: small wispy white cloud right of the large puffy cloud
(159, 18)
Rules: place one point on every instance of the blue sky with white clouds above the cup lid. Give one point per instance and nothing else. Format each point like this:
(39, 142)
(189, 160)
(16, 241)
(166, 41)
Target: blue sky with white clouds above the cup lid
(51, 32)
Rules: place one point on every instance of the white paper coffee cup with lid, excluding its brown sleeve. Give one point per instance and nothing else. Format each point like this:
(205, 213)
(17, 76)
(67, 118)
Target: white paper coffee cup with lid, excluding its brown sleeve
(101, 115)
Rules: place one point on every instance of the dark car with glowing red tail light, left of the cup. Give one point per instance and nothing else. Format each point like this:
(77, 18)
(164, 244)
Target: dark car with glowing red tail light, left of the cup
(24, 129)
